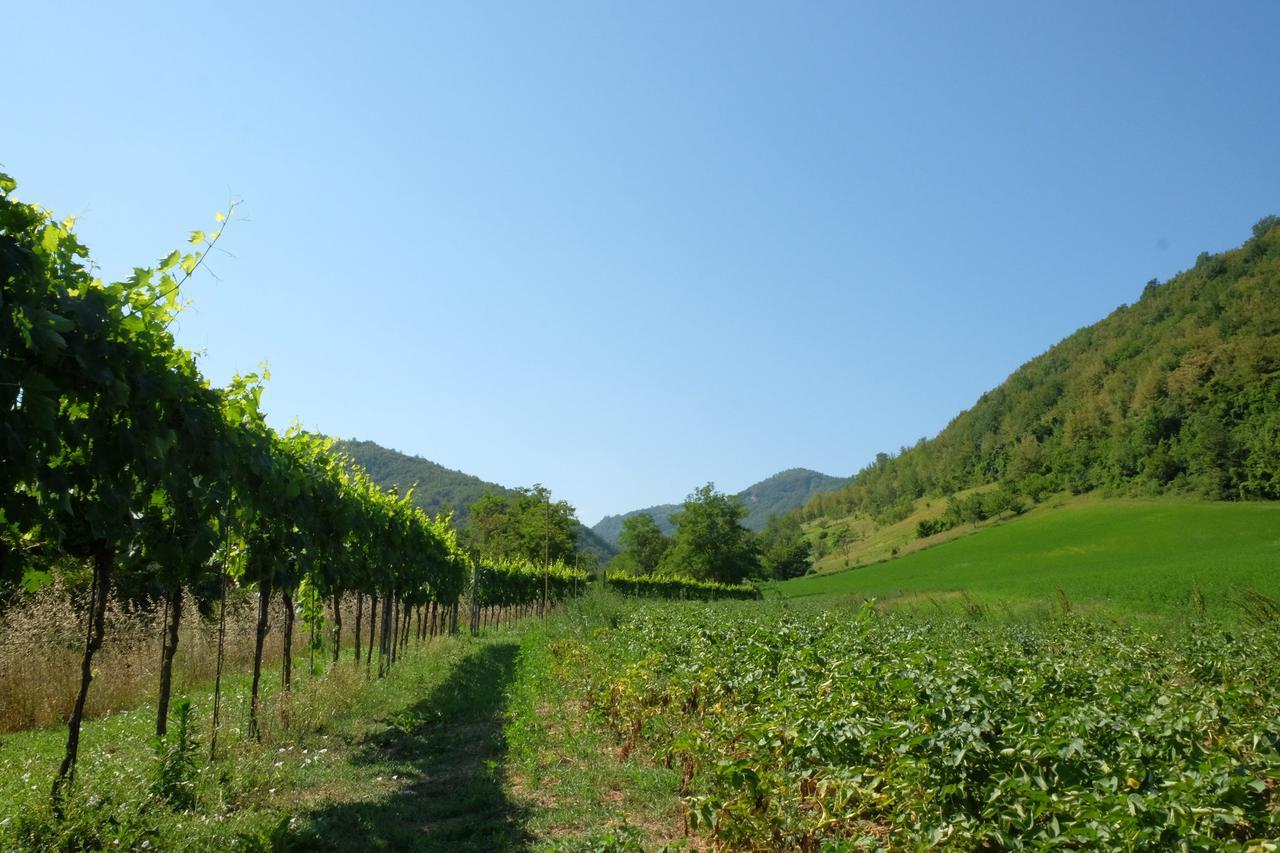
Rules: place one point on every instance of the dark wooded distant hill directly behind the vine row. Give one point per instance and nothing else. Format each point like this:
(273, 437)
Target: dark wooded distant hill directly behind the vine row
(437, 487)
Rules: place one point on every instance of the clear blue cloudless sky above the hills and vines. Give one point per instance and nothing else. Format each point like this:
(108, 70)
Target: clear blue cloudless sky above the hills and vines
(624, 249)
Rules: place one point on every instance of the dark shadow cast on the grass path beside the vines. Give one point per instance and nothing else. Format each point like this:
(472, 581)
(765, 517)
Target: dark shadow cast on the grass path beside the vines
(451, 747)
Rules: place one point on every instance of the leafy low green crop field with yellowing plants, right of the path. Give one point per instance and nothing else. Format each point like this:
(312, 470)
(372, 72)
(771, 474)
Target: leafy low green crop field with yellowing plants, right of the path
(826, 729)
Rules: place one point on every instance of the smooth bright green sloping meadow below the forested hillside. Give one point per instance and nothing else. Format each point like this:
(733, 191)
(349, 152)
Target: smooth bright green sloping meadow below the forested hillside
(1121, 558)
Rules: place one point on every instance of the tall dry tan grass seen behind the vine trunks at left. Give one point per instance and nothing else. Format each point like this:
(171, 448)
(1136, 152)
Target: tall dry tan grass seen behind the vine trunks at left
(43, 642)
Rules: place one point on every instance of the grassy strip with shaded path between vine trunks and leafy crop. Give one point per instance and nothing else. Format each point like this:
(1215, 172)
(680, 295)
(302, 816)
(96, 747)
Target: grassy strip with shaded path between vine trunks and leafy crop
(469, 745)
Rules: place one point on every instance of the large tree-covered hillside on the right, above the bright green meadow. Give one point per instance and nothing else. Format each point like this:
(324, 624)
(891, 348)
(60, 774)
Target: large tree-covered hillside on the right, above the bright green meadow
(1180, 393)
